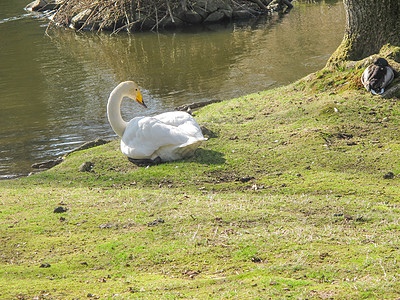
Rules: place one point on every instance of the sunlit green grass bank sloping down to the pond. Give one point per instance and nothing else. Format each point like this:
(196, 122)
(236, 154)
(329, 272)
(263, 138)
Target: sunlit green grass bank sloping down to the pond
(290, 199)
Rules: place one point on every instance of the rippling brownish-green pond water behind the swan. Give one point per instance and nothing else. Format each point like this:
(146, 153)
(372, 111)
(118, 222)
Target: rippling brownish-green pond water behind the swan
(54, 89)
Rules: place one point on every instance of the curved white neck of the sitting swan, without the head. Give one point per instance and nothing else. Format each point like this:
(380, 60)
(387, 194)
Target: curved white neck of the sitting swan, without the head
(114, 110)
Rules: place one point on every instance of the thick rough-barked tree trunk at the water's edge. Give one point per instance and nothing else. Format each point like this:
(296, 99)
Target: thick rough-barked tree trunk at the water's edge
(370, 24)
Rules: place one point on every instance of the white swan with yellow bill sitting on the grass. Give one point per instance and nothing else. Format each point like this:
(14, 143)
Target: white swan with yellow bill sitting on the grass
(165, 137)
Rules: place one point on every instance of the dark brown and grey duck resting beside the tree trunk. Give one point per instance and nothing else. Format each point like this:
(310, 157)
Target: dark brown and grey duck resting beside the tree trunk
(377, 76)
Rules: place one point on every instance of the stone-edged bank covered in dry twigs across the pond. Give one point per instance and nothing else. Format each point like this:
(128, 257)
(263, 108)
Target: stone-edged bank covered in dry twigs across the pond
(131, 15)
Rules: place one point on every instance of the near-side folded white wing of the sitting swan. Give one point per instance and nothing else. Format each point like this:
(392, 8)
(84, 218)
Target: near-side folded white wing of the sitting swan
(144, 136)
